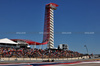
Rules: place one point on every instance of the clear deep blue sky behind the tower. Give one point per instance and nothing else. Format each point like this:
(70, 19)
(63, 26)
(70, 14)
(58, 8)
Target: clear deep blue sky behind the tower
(80, 18)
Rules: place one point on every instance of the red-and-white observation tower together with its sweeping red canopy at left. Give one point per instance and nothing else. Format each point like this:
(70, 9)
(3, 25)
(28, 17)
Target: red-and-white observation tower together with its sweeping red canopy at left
(48, 35)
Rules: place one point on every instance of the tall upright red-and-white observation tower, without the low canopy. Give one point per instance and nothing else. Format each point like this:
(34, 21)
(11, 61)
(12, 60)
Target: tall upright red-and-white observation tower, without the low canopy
(49, 24)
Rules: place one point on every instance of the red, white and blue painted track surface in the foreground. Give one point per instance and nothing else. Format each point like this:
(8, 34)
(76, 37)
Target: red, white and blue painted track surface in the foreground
(84, 63)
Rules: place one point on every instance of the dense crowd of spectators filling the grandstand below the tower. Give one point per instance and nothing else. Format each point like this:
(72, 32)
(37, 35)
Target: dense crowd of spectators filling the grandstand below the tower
(37, 53)
